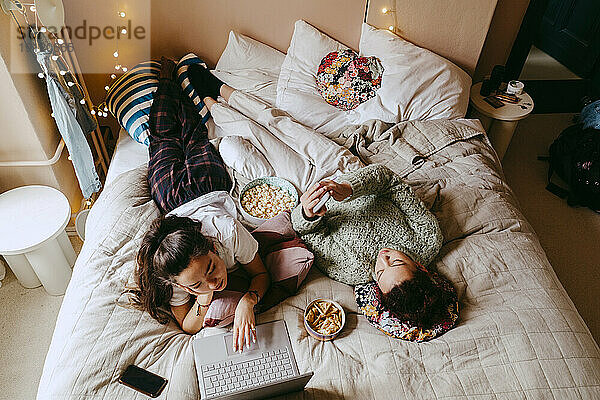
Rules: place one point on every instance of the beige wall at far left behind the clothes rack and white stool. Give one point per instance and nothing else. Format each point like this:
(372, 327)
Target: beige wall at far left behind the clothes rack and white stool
(28, 131)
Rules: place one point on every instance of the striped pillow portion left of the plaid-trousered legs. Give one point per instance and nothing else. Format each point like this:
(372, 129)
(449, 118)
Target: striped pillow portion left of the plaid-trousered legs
(130, 99)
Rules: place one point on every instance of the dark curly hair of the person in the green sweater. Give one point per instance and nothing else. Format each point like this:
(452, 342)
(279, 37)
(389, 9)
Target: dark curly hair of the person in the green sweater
(417, 300)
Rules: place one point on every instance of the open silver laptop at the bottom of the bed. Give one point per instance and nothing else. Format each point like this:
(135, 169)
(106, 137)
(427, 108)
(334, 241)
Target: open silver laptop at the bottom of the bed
(268, 368)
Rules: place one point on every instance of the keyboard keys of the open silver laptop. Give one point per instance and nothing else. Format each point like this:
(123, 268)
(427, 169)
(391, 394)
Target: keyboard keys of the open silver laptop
(226, 377)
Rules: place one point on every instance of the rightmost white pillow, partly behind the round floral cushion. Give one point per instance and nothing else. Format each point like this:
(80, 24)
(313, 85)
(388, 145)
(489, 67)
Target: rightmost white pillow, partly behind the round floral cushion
(417, 83)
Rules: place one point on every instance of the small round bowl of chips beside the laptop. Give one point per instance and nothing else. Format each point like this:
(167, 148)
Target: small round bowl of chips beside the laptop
(324, 319)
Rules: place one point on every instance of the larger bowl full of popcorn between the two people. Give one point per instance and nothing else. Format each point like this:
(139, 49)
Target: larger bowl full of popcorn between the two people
(264, 198)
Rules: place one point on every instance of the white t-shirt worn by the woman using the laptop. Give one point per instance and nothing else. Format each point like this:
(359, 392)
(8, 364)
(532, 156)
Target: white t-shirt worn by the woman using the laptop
(218, 215)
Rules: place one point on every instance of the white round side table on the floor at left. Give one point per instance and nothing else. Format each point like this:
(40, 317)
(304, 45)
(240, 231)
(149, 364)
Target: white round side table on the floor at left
(33, 239)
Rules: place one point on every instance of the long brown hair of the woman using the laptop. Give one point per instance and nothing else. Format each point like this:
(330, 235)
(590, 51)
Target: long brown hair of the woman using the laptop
(167, 249)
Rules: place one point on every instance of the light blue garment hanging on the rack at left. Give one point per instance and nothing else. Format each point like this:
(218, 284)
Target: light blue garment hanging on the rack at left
(74, 121)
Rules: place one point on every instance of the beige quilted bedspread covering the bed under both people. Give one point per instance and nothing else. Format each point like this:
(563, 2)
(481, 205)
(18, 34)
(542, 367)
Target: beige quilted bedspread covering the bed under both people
(518, 336)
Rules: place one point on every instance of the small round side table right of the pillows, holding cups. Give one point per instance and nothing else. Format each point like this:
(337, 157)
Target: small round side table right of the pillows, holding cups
(499, 123)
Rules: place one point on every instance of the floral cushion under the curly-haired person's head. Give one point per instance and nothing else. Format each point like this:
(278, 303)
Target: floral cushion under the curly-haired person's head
(369, 302)
